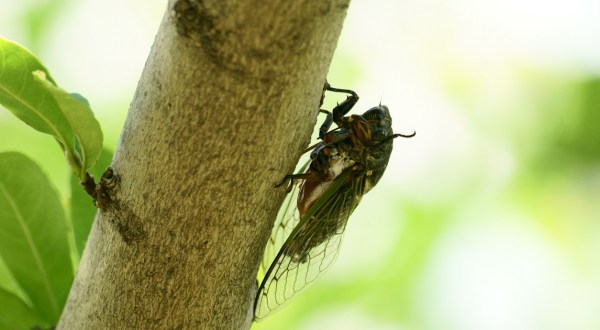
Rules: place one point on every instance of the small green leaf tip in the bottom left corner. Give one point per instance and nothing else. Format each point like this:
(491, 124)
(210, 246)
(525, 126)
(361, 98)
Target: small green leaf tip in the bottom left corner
(15, 313)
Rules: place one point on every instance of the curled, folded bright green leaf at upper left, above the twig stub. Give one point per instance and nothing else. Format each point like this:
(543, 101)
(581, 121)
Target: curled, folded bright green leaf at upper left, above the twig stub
(28, 91)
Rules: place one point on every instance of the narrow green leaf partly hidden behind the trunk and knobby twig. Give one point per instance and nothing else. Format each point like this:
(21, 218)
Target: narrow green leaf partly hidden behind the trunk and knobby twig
(83, 210)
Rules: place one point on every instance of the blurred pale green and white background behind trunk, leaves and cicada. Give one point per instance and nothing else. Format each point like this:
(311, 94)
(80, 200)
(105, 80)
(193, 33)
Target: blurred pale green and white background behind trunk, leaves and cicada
(487, 219)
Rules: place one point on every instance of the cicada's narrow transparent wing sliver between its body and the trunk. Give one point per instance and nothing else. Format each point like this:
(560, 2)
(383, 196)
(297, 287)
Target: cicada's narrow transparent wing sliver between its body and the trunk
(287, 219)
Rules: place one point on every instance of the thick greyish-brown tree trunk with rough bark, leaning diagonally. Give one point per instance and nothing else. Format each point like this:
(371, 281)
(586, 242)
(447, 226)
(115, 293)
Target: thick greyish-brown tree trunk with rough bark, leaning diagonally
(226, 103)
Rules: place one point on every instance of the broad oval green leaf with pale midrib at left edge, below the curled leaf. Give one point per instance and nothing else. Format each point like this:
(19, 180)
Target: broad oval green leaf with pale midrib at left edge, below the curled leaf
(33, 235)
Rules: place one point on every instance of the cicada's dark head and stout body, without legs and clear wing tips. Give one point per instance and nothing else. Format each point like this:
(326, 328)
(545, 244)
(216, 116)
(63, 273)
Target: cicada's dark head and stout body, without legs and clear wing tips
(356, 155)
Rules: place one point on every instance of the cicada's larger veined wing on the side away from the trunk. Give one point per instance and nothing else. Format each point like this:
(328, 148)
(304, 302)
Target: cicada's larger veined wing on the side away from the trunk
(312, 246)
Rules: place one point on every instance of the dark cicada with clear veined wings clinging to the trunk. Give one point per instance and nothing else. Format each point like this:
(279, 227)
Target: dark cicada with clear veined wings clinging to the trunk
(345, 164)
